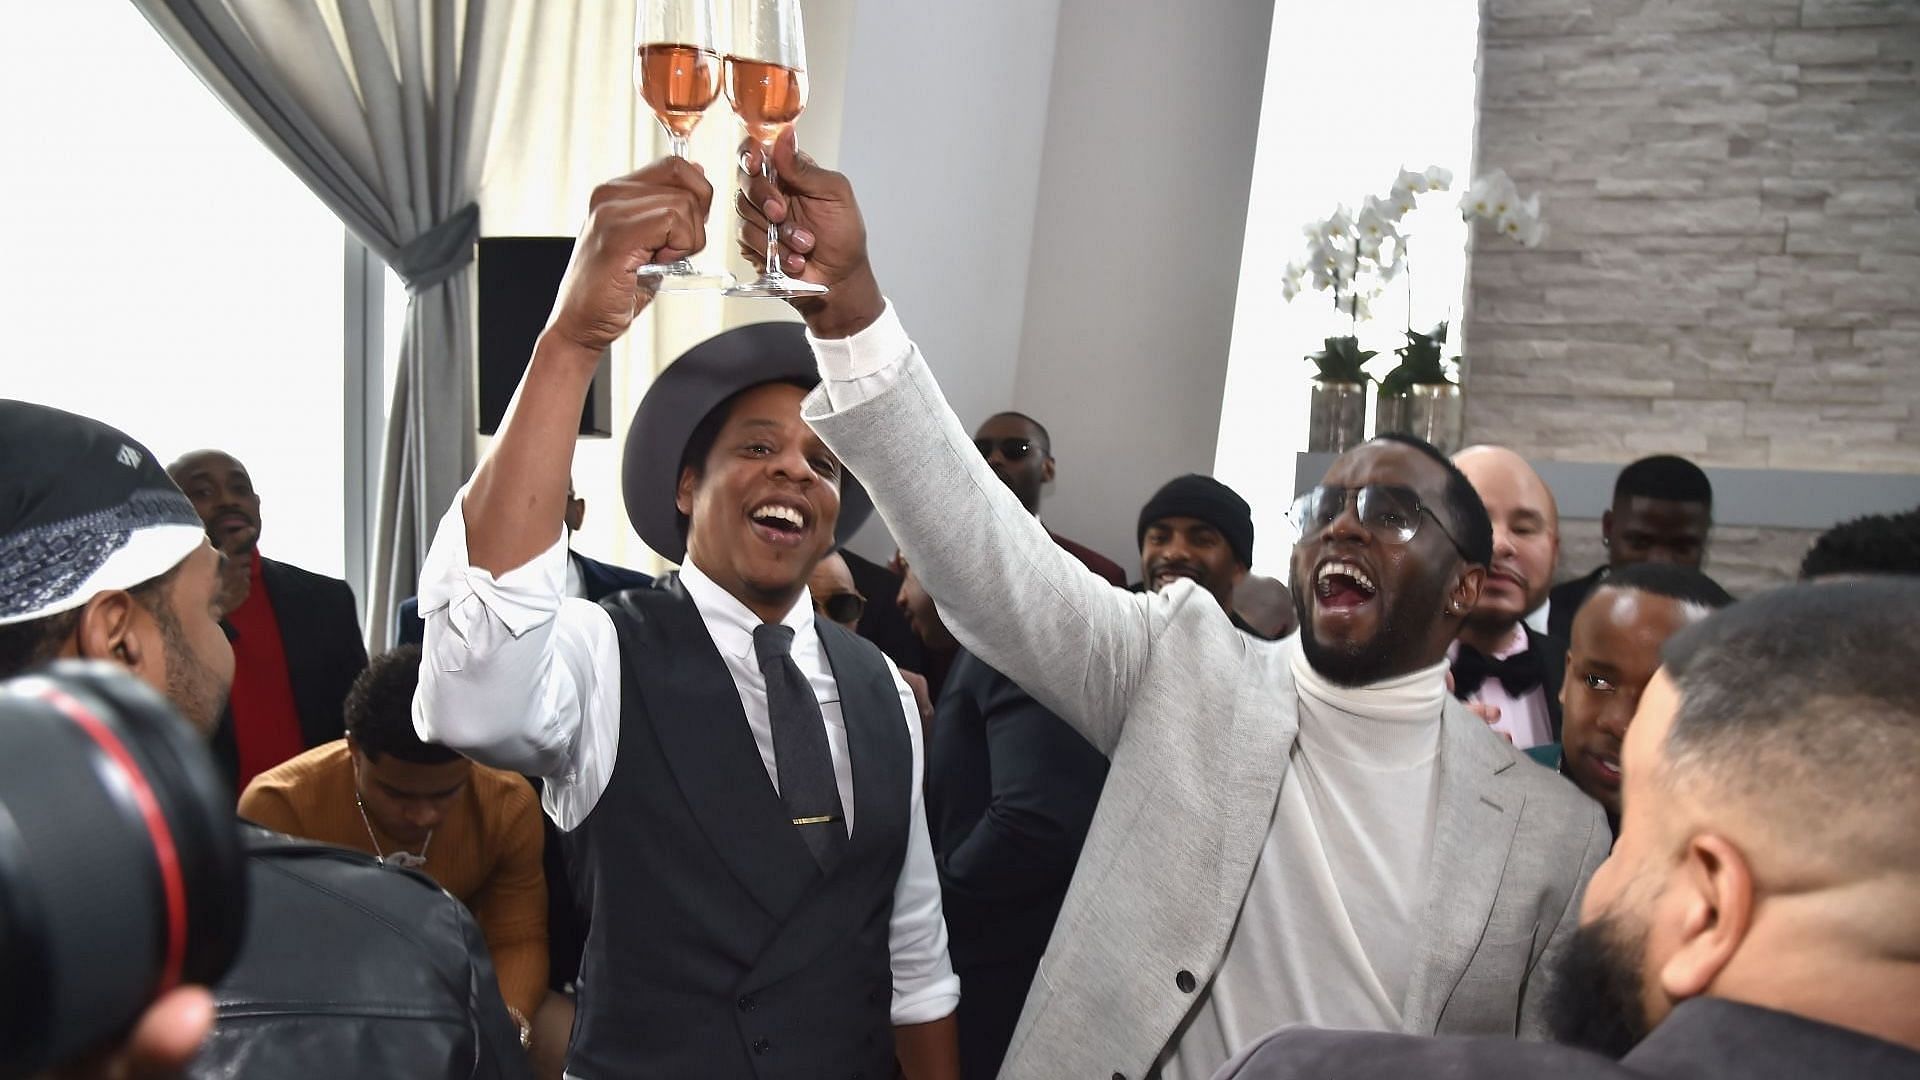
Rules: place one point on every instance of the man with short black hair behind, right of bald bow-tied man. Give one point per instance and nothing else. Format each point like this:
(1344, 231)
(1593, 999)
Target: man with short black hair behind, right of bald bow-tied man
(1662, 514)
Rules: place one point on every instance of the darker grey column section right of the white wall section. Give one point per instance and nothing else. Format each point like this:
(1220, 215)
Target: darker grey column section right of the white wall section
(1138, 249)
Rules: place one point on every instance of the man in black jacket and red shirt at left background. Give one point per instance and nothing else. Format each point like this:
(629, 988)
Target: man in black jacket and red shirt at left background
(297, 635)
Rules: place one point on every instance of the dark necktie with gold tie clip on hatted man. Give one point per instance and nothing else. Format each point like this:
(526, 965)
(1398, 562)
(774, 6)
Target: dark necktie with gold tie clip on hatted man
(802, 754)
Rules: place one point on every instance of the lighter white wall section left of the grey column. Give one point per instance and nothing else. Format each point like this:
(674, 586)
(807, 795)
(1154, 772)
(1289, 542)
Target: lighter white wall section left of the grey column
(942, 132)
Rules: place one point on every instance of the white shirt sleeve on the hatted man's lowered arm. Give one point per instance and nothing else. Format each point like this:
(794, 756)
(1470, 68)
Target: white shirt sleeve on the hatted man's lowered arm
(924, 983)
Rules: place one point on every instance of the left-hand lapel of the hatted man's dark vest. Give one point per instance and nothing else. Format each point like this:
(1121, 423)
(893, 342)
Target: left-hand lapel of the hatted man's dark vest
(704, 737)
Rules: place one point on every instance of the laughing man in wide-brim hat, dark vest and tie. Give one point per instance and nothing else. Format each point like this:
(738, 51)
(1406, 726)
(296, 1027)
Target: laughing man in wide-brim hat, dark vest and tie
(740, 783)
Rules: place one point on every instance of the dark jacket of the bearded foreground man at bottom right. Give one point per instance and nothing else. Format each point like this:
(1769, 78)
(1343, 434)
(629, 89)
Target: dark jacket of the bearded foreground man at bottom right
(1702, 1041)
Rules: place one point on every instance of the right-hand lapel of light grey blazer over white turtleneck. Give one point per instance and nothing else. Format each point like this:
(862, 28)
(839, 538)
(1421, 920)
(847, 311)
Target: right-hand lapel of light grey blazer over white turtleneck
(1476, 823)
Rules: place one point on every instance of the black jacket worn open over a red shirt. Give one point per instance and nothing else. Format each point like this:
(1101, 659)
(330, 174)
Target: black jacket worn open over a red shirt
(325, 654)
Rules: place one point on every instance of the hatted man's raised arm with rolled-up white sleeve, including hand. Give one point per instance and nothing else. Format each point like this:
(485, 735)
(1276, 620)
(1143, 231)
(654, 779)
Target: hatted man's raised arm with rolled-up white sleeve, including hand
(512, 674)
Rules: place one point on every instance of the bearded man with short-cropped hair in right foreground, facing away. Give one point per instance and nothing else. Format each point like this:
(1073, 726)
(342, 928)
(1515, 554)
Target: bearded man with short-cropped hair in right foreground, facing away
(1756, 918)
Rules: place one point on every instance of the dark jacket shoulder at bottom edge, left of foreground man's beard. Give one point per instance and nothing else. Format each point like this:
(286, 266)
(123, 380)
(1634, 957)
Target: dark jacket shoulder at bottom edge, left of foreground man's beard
(1308, 1054)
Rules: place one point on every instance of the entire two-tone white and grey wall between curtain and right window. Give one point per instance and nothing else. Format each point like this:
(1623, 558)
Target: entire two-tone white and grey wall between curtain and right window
(1055, 197)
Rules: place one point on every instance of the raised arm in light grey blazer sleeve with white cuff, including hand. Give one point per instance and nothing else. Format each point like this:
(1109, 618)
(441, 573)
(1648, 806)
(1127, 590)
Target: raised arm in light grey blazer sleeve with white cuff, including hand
(1003, 587)
